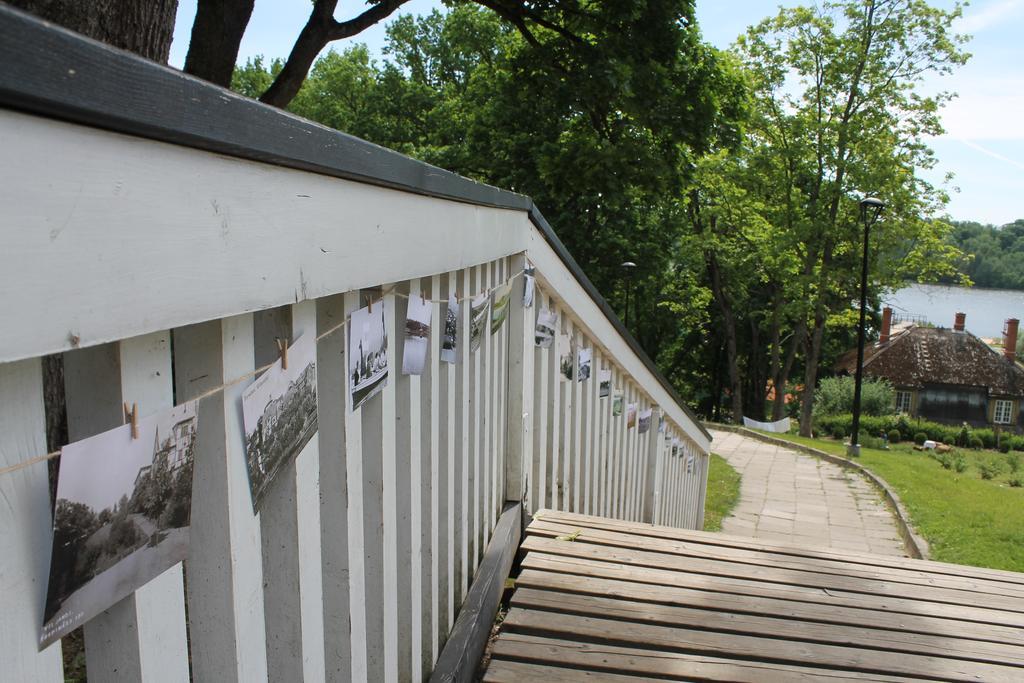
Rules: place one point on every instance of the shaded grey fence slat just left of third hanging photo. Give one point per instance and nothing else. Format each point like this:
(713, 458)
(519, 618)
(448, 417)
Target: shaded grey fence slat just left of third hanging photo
(332, 373)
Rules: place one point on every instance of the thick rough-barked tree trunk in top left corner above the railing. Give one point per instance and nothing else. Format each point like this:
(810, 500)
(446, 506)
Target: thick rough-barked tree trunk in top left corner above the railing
(143, 27)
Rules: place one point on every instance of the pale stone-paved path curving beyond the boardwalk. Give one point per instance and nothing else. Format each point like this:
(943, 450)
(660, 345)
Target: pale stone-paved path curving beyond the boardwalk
(790, 497)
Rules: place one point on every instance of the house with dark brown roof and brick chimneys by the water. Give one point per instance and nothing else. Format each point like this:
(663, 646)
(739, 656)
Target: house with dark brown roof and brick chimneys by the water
(947, 375)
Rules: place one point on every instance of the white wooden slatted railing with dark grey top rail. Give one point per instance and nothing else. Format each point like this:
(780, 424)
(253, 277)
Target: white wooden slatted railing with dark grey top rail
(160, 234)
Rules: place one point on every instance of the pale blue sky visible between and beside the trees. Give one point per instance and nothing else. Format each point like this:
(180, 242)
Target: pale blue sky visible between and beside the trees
(985, 142)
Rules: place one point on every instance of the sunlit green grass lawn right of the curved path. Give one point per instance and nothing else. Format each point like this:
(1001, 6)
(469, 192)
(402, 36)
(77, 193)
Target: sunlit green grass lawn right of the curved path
(966, 520)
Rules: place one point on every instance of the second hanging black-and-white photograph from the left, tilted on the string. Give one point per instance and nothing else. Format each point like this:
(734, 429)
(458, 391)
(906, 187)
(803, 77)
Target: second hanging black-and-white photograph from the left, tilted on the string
(279, 411)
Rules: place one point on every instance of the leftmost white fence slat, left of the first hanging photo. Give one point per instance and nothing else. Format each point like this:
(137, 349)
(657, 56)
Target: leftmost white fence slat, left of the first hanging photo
(26, 527)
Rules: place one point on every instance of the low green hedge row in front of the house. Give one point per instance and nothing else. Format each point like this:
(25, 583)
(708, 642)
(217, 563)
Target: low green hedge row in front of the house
(839, 426)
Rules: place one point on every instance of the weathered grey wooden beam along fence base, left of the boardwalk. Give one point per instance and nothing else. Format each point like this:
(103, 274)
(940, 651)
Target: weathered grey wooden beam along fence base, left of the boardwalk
(462, 653)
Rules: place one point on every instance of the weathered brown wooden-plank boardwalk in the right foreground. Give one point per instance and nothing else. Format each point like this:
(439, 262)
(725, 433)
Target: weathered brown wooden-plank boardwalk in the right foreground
(604, 600)
